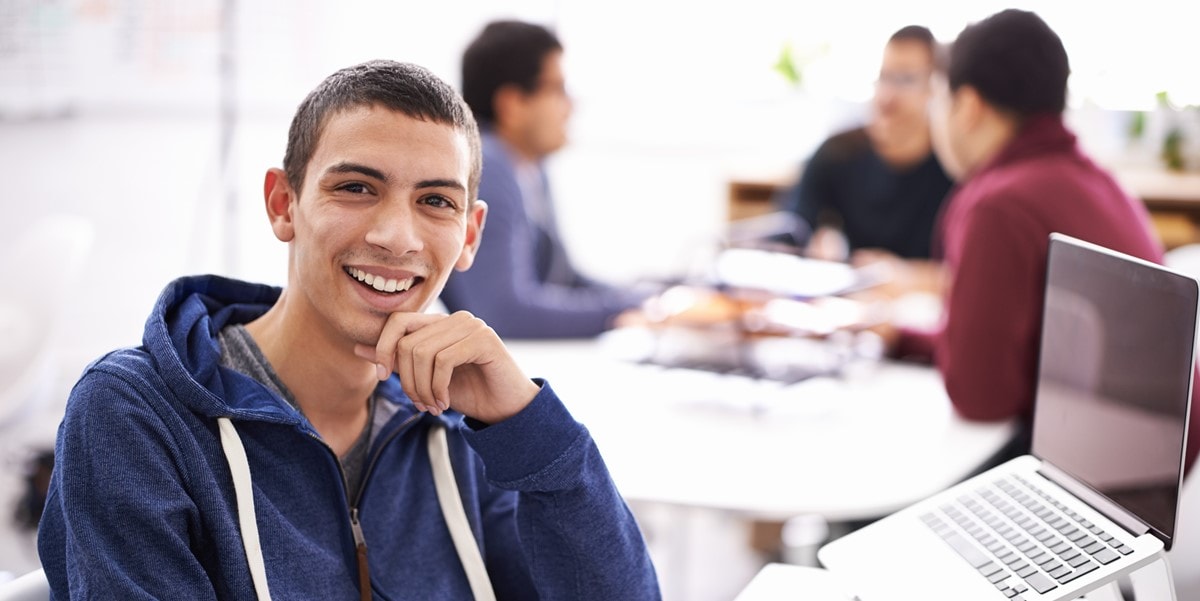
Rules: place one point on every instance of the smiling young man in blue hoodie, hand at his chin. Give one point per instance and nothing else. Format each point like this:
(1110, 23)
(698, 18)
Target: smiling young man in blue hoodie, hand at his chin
(292, 444)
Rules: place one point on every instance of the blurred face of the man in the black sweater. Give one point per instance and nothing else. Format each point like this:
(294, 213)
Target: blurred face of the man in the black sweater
(902, 92)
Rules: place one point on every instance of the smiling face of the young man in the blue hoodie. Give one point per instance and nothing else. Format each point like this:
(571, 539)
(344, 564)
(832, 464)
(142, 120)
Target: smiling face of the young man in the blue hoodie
(382, 221)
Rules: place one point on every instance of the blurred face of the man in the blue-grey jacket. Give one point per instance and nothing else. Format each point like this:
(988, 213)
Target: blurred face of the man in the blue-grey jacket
(547, 110)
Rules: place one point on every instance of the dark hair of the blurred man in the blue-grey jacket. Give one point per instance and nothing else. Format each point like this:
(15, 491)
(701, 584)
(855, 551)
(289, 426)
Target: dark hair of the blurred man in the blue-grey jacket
(506, 52)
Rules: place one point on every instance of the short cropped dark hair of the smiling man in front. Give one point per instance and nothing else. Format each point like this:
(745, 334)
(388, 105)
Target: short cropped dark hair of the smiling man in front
(401, 87)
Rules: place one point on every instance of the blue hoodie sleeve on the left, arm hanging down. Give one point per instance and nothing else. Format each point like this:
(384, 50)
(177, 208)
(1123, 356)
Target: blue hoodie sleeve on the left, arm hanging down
(118, 518)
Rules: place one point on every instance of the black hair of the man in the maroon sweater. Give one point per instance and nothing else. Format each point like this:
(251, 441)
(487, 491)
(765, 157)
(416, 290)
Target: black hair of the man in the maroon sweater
(1015, 61)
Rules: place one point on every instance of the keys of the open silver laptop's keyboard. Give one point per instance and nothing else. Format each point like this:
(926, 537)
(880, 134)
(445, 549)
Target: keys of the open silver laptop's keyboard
(1022, 539)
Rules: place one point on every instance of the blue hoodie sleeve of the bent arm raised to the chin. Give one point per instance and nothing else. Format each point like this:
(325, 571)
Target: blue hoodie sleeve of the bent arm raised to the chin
(577, 534)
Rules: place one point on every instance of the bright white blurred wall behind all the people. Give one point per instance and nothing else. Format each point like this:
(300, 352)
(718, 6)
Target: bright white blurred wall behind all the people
(112, 112)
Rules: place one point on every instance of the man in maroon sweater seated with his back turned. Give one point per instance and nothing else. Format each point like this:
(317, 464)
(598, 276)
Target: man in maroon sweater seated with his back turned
(999, 129)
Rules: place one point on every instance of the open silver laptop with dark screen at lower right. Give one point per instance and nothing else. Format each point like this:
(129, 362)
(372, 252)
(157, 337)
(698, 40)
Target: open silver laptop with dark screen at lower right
(1099, 496)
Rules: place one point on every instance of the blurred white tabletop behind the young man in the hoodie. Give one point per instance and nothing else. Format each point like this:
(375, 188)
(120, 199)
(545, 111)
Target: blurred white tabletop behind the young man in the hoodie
(853, 448)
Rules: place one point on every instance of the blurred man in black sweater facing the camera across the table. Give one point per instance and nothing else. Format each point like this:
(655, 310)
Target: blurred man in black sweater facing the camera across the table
(879, 187)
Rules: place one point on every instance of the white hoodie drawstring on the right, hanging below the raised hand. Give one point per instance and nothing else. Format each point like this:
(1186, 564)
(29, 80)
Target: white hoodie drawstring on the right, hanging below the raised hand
(457, 516)
